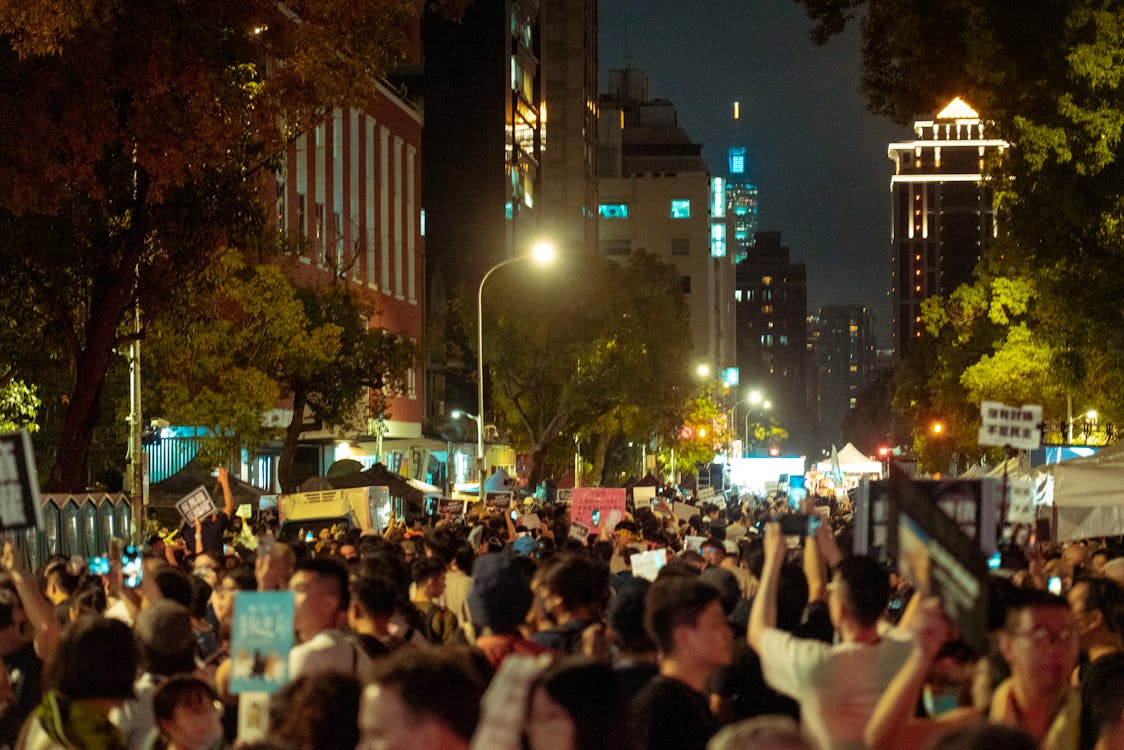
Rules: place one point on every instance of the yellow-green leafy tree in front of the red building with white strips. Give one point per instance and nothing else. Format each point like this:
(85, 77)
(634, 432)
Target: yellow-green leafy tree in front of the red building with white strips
(246, 337)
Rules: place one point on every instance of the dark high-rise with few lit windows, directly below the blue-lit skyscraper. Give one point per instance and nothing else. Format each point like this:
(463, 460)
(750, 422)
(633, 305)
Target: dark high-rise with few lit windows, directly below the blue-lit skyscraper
(772, 300)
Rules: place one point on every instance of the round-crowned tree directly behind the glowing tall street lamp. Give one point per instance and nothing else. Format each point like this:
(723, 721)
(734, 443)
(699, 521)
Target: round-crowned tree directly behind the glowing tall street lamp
(595, 350)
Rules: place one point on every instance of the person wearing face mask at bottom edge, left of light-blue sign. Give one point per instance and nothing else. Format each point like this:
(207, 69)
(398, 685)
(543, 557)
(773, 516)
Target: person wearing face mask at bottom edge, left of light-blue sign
(188, 716)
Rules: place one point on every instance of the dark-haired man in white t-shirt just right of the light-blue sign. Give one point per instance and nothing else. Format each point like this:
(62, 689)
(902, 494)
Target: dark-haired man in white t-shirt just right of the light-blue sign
(321, 599)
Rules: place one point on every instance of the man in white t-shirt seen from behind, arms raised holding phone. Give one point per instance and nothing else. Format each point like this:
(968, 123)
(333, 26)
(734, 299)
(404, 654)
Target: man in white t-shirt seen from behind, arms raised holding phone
(838, 686)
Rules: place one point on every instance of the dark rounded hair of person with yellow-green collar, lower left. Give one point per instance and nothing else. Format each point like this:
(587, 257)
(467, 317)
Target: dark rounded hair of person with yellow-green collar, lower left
(97, 658)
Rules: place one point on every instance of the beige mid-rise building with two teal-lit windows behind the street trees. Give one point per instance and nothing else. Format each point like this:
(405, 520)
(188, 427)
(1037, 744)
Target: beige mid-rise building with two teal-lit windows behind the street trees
(656, 195)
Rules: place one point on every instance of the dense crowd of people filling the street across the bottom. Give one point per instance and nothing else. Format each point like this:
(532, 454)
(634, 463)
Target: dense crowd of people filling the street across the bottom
(490, 631)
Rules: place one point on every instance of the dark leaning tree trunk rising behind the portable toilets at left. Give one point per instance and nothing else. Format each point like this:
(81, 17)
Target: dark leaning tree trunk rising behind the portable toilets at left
(108, 308)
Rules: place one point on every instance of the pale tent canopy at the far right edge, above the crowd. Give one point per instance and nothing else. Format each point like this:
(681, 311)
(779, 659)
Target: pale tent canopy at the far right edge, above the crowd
(1089, 495)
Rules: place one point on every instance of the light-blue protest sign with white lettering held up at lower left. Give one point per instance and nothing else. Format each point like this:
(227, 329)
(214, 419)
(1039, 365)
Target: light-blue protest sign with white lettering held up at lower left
(260, 641)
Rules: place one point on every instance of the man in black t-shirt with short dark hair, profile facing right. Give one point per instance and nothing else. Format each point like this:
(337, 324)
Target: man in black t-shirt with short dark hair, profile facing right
(686, 620)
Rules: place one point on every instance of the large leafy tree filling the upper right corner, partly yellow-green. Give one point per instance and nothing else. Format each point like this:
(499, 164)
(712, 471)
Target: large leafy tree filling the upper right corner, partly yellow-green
(1048, 75)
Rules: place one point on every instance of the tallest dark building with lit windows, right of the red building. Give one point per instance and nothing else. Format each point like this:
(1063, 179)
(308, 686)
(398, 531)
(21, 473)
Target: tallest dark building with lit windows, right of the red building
(495, 177)
